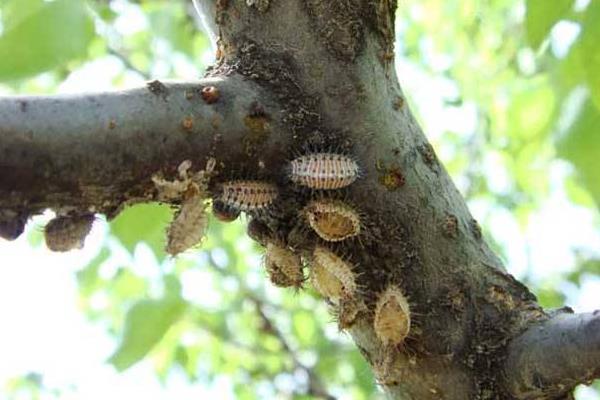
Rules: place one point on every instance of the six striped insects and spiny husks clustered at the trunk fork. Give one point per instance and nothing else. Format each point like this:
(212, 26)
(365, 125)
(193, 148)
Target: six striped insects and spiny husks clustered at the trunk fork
(333, 221)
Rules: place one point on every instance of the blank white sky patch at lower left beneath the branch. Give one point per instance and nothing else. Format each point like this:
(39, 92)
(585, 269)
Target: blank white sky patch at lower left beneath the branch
(44, 331)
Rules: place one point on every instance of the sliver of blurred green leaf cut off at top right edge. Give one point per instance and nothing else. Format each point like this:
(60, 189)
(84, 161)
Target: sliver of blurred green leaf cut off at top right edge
(590, 49)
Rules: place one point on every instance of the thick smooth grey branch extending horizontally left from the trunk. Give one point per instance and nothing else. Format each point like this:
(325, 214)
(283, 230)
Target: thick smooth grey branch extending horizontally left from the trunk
(94, 151)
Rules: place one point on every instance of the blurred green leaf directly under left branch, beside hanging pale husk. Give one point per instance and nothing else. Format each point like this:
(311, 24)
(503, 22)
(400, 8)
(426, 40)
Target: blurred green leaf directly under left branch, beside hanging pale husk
(143, 222)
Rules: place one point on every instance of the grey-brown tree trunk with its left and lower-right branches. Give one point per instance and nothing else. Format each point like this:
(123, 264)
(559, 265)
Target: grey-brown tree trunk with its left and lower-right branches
(319, 75)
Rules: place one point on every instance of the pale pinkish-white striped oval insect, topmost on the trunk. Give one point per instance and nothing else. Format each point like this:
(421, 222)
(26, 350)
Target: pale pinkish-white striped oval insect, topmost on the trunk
(324, 171)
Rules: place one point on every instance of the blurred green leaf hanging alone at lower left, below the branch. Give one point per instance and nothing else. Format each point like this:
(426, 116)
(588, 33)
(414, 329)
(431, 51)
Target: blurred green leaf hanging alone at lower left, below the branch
(146, 324)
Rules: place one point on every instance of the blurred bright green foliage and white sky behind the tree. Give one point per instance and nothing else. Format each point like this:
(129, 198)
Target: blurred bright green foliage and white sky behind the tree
(508, 92)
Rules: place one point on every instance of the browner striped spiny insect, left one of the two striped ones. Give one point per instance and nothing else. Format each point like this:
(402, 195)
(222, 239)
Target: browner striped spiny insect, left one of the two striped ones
(247, 195)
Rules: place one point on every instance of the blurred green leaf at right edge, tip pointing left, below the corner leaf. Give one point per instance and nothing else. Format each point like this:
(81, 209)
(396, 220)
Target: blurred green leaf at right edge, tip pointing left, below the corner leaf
(581, 146)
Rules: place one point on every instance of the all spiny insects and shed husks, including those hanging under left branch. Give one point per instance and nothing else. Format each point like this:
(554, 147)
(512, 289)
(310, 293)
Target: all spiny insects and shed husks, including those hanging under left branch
(331, 219)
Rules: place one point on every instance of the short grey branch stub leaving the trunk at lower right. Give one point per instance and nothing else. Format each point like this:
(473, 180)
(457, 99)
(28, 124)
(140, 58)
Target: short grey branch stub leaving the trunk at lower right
(550, 358)
